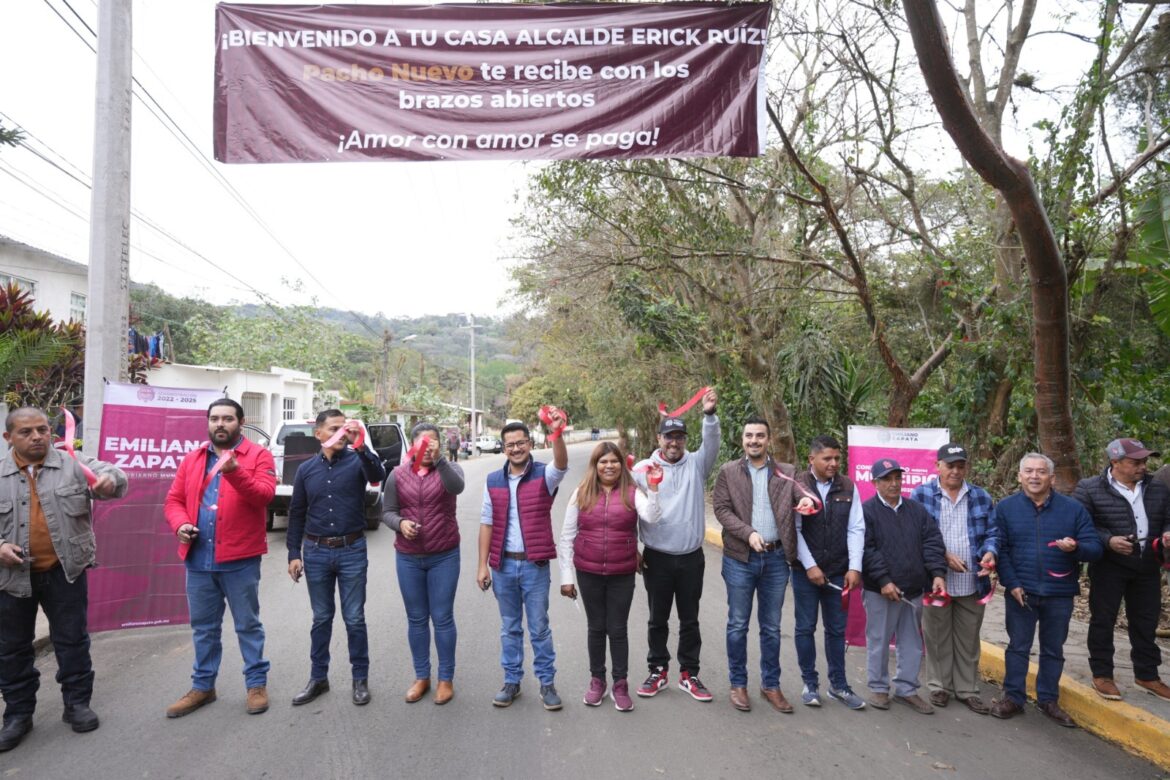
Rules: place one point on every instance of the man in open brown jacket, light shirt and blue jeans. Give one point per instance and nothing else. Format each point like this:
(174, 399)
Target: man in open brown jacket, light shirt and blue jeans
(754, 502)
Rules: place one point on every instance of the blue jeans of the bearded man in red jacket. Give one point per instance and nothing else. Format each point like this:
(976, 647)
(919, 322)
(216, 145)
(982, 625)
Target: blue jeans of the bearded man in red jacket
(207, 596)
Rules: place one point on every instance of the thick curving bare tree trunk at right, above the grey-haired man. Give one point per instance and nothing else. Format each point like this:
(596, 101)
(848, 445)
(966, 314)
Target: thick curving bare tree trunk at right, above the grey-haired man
(1045, 265)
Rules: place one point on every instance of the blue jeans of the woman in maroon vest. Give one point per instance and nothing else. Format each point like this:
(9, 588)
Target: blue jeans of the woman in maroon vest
(429, 584)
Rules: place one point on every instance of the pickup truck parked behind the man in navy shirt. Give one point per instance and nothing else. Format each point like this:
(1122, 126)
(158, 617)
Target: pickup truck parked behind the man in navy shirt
(295, 444)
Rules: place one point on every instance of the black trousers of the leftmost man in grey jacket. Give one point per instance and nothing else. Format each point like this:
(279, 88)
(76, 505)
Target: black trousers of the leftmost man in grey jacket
(65, 605)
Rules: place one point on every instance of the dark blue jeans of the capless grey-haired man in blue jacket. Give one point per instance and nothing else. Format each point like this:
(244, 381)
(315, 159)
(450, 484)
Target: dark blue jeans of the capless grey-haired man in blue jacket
(1052, 613)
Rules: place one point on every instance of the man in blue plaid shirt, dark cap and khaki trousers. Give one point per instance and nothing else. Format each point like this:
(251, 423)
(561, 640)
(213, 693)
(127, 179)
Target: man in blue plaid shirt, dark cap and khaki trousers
(952, 631)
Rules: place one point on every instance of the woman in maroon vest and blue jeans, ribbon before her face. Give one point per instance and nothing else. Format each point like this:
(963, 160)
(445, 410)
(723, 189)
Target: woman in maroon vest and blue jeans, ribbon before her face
(419, 505)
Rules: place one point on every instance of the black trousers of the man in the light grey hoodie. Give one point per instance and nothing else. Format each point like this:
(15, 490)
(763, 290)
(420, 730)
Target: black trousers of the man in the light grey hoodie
(675, 579)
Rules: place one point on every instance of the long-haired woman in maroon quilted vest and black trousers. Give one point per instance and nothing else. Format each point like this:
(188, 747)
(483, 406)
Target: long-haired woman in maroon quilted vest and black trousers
(600, 539)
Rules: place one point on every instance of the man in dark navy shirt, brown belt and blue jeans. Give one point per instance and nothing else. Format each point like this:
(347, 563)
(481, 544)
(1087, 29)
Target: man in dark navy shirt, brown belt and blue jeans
(327, 517)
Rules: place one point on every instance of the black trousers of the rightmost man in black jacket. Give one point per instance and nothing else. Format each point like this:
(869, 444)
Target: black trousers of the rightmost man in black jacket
(1143, 593)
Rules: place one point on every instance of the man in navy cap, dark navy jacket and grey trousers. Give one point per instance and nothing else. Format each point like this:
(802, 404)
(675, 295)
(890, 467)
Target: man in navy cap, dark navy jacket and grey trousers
(904, 556)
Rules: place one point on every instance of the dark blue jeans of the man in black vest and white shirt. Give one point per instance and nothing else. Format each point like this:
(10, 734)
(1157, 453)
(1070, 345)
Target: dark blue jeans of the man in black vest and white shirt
(808, 598)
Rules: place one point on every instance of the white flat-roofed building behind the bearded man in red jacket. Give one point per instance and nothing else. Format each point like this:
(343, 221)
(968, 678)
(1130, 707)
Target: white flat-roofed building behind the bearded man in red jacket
(267, 397)
